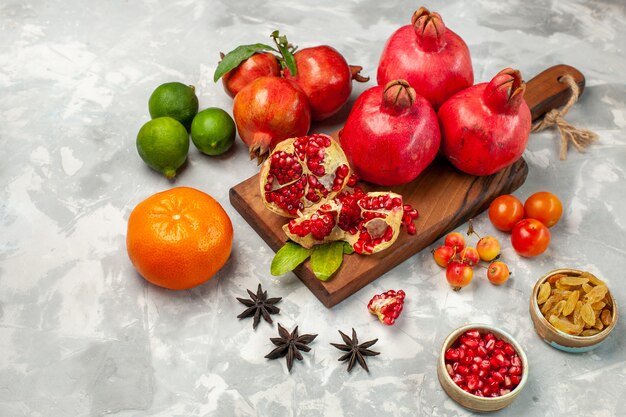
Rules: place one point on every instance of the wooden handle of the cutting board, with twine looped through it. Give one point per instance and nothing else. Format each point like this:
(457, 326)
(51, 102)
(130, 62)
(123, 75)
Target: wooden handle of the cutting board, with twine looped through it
(545, 92)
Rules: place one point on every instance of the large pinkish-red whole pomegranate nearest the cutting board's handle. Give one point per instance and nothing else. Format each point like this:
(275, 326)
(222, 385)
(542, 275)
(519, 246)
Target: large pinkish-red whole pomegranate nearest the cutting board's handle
(485, 128)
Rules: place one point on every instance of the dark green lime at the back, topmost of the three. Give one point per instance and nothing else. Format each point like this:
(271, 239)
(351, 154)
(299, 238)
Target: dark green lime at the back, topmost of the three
(175, 100)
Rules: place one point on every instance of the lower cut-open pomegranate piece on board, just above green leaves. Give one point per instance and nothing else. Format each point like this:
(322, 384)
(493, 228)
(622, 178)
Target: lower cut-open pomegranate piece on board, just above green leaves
(369, 222)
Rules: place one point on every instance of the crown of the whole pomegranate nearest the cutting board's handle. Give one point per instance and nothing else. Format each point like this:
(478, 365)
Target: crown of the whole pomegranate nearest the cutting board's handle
(505, 92)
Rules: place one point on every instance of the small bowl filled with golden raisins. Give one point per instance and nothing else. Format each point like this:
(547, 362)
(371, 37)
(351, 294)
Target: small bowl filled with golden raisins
(572, 310)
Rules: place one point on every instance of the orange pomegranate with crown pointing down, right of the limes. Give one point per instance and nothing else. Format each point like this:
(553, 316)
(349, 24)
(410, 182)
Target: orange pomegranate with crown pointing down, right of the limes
(268, 111)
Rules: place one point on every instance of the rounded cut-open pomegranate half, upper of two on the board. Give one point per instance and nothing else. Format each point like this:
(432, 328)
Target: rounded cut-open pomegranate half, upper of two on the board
(301, 172)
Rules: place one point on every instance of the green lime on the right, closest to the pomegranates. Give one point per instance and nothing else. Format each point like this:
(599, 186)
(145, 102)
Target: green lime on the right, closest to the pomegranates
(213, 131)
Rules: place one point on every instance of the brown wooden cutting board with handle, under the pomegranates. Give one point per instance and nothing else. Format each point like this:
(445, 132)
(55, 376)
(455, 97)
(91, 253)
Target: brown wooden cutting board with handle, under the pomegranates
(443, 196)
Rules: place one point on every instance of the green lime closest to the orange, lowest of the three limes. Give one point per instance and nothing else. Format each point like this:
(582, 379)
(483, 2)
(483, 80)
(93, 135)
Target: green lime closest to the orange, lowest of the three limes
(163, 144)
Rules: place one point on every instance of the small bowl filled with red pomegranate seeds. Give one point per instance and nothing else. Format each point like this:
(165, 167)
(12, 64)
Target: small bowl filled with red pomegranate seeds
(482, 367)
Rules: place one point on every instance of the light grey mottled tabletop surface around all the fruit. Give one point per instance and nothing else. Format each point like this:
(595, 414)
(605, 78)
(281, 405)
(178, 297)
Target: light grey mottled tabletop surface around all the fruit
(81, 334)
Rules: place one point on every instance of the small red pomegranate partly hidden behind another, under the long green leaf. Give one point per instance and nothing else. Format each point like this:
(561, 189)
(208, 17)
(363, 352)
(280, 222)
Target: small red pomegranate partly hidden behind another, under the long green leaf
(258, 65)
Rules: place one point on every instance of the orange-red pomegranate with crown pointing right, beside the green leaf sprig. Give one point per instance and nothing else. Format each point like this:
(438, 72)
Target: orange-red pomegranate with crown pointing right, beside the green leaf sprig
(326, 78)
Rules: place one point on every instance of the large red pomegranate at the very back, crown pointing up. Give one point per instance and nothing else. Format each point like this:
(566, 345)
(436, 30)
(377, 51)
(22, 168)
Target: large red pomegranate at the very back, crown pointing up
(433, 59)
